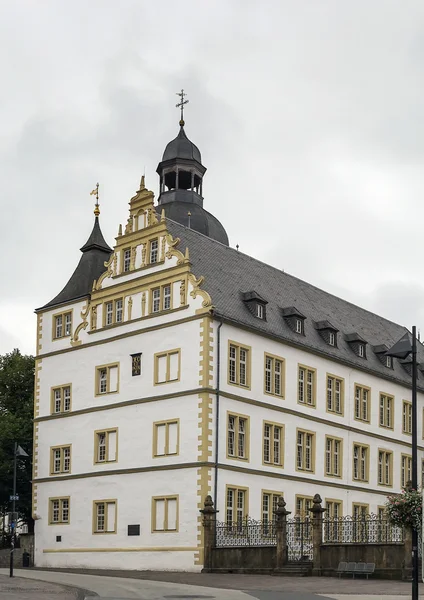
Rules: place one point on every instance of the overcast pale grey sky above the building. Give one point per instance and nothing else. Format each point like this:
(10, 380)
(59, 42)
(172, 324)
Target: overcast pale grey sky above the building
(308, 114)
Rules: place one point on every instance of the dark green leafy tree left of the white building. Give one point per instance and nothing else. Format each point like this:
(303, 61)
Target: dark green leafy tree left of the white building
(16, 425)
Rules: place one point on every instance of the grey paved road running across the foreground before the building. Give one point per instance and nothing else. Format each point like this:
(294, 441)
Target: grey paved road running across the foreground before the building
(180, 586)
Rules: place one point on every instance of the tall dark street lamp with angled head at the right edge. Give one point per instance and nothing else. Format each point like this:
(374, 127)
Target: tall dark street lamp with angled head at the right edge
(402, 349)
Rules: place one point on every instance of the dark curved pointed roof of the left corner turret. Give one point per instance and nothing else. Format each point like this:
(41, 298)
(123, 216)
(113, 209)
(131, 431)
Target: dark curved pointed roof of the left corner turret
(95, 253)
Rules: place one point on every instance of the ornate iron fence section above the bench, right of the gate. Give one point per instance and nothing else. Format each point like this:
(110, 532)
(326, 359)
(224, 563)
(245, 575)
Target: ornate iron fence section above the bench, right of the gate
(363, 530)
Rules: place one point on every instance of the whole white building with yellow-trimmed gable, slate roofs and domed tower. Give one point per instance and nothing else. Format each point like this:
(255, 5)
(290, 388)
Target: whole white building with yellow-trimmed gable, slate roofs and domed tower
(174, 366)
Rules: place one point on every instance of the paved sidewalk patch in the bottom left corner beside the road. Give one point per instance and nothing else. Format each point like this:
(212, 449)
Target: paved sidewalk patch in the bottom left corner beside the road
(19, 588)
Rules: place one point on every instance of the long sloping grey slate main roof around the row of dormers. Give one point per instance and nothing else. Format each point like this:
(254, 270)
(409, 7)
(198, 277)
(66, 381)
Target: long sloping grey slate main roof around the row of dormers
(228, 273)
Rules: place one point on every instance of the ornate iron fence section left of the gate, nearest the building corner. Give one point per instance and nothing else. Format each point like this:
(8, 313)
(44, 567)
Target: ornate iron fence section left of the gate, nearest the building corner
(247, 532)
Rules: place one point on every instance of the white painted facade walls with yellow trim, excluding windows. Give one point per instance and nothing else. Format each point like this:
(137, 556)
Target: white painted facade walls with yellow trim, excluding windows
(137, 476)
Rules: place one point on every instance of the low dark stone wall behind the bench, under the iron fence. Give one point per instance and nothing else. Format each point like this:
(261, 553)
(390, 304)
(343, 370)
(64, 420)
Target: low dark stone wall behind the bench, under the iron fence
(388, 558)
